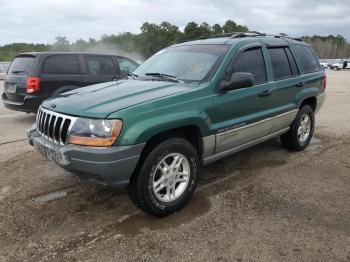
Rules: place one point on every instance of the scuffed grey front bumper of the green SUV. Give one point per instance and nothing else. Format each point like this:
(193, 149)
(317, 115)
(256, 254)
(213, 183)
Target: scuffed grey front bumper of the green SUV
(112, 166)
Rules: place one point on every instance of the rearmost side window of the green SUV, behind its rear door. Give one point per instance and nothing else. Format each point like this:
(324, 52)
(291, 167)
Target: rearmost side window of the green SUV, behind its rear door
(307, 59)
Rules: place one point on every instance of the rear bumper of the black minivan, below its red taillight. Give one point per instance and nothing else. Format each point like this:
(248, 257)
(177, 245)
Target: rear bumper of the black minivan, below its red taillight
(30, 104)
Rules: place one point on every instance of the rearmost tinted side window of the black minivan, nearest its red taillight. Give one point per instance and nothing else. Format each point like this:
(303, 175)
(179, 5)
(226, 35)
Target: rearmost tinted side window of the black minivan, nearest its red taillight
(62, 64)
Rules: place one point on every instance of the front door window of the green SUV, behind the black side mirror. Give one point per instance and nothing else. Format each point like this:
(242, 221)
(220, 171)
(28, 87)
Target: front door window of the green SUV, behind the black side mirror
(251, 61)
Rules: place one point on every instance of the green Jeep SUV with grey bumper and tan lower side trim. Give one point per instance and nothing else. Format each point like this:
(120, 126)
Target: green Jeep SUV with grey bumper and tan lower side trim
(187, 106)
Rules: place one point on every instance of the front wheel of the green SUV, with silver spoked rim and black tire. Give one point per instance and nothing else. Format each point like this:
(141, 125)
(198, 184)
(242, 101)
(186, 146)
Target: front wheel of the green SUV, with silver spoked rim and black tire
(167, 178)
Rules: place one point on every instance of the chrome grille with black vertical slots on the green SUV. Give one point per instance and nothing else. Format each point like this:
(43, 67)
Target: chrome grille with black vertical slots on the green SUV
(54, 126)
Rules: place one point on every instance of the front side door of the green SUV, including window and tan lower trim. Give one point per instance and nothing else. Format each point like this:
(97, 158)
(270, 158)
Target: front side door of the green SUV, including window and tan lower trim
(242, 115)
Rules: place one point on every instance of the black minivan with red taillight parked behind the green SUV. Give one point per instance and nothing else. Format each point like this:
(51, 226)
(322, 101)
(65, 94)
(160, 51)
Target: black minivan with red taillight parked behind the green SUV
(34, 77)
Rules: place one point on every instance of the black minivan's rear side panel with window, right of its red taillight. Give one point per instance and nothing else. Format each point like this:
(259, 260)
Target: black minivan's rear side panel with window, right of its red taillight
(60, 73)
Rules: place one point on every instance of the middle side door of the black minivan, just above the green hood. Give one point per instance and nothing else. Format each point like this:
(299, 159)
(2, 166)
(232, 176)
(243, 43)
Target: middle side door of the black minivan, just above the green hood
(99, 69)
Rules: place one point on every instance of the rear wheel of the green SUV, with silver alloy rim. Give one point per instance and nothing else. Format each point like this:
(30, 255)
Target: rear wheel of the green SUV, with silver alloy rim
(299, 135)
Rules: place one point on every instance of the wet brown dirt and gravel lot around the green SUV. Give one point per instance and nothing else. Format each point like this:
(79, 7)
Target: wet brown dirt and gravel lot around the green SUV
(263, 204)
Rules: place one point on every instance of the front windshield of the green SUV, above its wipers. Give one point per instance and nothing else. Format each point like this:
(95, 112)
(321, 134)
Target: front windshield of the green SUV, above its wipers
(186, 63)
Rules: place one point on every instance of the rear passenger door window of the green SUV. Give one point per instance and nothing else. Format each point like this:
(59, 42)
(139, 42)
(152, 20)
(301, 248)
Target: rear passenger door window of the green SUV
(280, 63)
